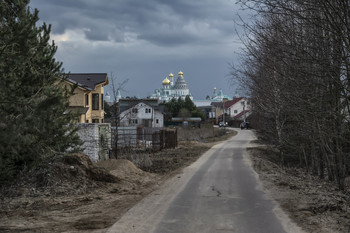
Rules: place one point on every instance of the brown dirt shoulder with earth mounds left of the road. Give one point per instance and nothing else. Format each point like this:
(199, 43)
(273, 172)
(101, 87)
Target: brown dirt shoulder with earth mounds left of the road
(71, 194)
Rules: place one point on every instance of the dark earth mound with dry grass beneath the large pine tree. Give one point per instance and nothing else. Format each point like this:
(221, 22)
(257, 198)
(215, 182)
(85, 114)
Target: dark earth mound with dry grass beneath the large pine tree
(59, 175)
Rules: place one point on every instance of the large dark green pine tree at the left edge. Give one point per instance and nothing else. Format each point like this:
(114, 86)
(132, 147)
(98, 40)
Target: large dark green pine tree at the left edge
(33, 122)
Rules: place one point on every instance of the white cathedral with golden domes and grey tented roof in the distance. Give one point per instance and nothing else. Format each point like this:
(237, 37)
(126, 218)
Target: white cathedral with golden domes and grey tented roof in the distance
(172, 90)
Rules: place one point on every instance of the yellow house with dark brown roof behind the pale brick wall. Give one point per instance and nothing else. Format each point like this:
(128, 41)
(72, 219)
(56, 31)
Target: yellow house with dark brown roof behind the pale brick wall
(88, 96)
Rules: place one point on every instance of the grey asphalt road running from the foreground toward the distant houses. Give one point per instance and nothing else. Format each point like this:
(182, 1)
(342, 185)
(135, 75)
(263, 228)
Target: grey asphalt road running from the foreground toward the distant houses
(218, 193)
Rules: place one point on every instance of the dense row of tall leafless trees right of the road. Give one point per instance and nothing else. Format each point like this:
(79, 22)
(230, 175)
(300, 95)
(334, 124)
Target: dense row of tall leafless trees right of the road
(296, 65)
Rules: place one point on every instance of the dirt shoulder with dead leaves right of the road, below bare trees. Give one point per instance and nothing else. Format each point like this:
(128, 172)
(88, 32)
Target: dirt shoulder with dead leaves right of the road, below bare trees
(315, 205)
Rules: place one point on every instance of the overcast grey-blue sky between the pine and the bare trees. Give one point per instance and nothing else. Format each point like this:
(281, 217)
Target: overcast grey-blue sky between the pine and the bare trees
(144, 40)
